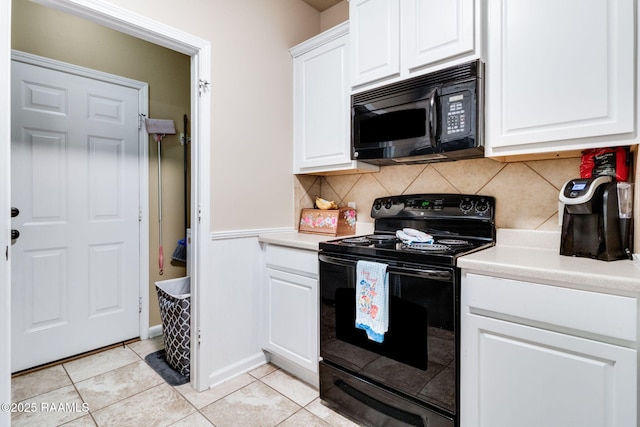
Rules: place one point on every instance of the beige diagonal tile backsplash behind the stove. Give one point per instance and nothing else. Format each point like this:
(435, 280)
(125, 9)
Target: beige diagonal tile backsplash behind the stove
(526, 192)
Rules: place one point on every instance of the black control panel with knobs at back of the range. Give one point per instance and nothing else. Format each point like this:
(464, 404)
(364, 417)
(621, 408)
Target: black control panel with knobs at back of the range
(434, 205)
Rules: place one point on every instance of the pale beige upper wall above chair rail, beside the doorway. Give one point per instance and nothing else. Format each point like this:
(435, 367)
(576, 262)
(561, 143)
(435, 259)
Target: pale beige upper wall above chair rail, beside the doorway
(251, 146)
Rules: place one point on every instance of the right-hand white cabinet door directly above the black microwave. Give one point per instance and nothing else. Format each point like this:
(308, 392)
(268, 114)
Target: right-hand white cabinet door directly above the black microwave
(436, 30)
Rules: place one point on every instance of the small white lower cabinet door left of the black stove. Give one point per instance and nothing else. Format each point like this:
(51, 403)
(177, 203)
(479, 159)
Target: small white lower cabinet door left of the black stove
(292, 318)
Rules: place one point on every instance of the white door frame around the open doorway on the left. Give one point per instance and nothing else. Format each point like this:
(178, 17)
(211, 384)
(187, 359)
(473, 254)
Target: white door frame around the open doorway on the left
(161, 34)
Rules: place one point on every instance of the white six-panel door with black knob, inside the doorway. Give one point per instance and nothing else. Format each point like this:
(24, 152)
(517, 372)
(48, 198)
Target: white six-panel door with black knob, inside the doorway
(75, 181)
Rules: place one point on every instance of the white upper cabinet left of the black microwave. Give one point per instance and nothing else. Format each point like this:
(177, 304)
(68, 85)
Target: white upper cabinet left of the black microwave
(321, 102)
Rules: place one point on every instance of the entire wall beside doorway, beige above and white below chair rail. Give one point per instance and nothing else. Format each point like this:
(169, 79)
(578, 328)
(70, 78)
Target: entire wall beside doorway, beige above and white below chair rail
(251, 157)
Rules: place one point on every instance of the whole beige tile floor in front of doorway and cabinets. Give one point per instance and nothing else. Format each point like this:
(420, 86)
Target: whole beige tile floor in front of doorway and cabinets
(118, 388)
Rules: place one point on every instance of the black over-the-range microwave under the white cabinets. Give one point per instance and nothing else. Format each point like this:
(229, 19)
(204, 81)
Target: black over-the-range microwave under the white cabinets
(434, 117)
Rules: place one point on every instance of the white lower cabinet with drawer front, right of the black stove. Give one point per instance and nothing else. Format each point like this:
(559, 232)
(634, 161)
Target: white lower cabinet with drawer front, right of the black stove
(539, 355)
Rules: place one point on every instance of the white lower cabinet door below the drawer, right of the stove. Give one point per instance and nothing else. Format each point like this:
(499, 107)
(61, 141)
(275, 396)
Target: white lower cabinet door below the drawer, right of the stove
(515, 375)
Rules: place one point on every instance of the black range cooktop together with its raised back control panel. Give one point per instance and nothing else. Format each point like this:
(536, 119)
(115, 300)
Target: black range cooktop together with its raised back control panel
(460, 224)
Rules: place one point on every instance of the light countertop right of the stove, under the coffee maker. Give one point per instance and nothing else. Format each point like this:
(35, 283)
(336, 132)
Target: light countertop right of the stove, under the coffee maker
(534, 256)
